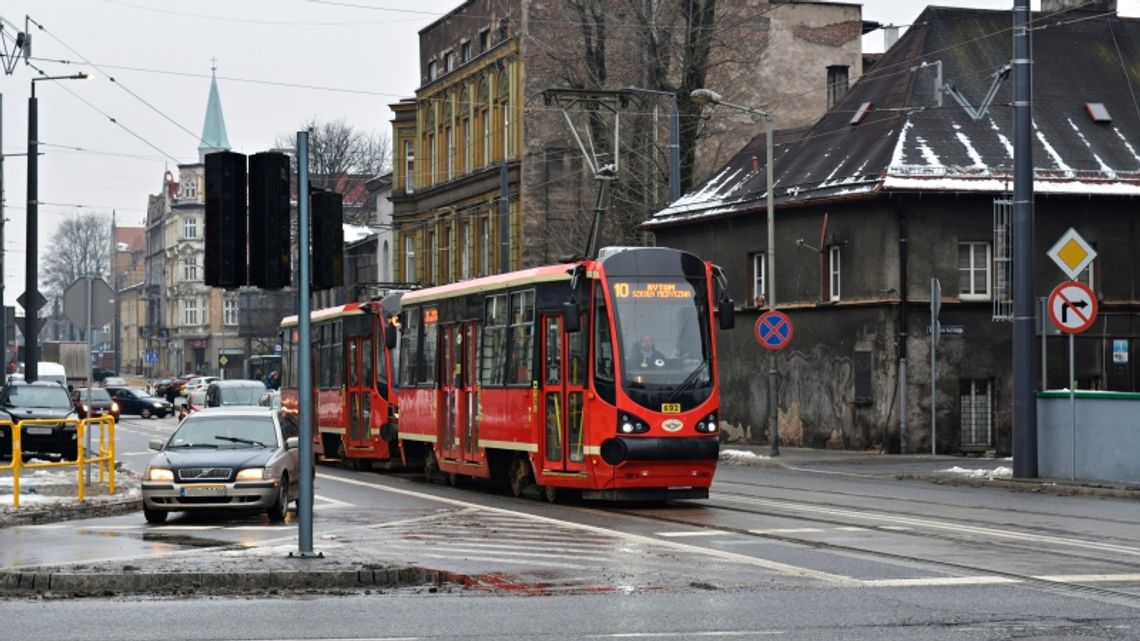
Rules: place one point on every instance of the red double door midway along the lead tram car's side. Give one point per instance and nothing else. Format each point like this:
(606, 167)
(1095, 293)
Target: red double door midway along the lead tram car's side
(460, 436)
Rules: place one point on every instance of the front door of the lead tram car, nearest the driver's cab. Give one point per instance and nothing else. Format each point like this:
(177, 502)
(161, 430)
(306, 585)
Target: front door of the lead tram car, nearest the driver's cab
(564, 390)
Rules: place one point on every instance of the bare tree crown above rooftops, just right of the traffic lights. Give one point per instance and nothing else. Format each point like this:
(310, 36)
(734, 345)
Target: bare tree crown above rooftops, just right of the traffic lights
(338, 150)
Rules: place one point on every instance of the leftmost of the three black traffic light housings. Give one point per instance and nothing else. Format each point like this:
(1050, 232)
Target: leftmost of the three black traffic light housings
(226, 221)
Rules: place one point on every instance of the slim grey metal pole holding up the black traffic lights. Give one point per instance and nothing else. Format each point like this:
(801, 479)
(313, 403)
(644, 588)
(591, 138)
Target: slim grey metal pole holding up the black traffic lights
(305, 355)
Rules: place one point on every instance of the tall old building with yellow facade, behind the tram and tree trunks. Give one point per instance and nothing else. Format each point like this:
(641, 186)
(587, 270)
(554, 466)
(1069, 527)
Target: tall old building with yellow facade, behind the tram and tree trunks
(488, 176)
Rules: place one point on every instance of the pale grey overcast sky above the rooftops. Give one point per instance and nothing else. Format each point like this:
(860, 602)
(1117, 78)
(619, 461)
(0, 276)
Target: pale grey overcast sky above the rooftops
(280, 62)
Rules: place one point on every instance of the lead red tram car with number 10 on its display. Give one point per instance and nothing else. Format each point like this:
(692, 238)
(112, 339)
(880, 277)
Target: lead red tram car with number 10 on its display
(598, 377)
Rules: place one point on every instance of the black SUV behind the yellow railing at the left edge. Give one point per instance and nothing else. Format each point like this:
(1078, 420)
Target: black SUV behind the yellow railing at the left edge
(42, 400)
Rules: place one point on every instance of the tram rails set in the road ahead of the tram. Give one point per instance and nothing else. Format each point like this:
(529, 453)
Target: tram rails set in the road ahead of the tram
(995, 577)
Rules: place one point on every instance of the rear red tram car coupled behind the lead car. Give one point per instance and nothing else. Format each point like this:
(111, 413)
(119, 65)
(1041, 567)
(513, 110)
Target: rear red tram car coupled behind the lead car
(354, 392)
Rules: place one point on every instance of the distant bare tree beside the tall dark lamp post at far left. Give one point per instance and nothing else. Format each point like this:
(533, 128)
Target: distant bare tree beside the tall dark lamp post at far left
(82, 247)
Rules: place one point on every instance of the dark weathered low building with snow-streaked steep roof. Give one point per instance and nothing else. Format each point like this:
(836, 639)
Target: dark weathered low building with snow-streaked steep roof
(901, 186)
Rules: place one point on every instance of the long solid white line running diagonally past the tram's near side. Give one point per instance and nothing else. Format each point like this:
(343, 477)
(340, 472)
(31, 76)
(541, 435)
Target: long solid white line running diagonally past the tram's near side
(721, 555)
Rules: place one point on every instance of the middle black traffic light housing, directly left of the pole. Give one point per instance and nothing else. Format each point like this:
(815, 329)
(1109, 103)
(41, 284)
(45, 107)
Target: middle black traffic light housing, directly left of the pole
(270, 221)
